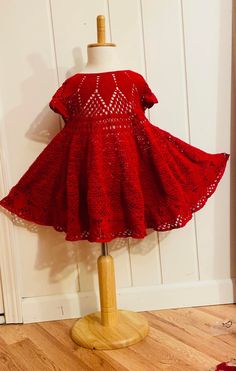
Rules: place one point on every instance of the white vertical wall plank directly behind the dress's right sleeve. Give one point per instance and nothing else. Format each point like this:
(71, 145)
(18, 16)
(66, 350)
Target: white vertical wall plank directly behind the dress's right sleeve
(165, 67)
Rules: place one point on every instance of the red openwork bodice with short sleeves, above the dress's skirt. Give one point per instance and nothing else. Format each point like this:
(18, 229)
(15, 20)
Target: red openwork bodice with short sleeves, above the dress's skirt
(102, 95)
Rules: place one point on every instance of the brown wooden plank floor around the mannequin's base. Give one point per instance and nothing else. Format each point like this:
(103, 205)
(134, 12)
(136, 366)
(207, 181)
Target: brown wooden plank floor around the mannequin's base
(179, 339)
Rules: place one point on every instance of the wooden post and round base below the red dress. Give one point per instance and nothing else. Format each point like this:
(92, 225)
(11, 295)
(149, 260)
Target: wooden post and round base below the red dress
(110, 328)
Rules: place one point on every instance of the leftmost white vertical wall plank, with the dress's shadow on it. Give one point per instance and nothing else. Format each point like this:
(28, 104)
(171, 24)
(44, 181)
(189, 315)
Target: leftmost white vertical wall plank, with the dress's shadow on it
(27, 80)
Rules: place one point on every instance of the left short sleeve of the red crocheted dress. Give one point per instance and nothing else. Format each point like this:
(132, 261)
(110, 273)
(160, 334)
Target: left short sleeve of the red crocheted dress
(58, 101)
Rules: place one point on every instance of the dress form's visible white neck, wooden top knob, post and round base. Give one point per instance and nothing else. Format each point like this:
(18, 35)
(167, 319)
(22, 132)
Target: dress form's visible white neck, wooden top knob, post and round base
(111, 328)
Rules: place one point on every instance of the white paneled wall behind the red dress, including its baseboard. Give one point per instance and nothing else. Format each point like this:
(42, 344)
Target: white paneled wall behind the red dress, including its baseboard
(183, 49)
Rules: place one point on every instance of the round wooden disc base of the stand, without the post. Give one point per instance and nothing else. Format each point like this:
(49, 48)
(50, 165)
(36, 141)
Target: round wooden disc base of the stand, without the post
(89, 333)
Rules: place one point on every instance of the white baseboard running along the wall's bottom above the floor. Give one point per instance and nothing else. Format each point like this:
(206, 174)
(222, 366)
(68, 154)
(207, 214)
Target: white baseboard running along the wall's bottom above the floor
(57, 307)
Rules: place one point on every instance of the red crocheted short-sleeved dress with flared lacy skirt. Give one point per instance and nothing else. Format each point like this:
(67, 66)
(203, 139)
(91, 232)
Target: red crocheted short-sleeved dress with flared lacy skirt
(110, 172)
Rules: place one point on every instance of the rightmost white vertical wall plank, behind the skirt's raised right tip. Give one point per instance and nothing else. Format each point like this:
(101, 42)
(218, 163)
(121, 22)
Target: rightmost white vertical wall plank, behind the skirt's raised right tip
(208, 50)
